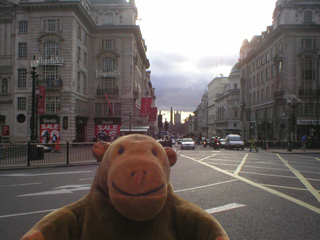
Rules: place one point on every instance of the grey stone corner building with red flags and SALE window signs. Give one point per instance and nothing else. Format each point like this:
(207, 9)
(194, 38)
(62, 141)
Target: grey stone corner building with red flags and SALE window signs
(92, 69)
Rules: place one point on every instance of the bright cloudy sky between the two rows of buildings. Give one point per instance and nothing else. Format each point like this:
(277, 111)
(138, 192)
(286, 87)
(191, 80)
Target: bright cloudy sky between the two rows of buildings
(189, 43)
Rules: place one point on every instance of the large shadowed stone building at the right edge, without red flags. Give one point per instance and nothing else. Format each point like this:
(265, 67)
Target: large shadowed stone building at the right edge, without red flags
(280, 75)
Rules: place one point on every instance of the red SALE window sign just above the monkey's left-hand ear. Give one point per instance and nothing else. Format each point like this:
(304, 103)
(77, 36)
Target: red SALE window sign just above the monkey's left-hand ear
(107, 132)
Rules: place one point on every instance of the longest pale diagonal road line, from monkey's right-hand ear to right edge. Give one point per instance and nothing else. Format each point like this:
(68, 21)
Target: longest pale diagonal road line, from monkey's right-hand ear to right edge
(277, 193)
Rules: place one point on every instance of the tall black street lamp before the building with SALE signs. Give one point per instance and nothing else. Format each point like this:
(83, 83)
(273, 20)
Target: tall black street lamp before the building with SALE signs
(33, 64)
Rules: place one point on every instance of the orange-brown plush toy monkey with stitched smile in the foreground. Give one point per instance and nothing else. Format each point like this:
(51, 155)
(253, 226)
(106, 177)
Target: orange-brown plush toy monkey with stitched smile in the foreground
(131, 198)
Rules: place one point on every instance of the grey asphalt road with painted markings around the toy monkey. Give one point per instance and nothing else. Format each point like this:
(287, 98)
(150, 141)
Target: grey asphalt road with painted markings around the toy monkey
(253, 195)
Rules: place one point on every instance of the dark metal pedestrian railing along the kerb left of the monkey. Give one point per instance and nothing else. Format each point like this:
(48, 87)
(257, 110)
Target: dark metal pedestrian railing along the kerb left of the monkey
(36, 154)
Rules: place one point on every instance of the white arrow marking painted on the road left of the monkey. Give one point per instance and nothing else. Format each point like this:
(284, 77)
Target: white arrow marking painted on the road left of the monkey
(60, 190)
